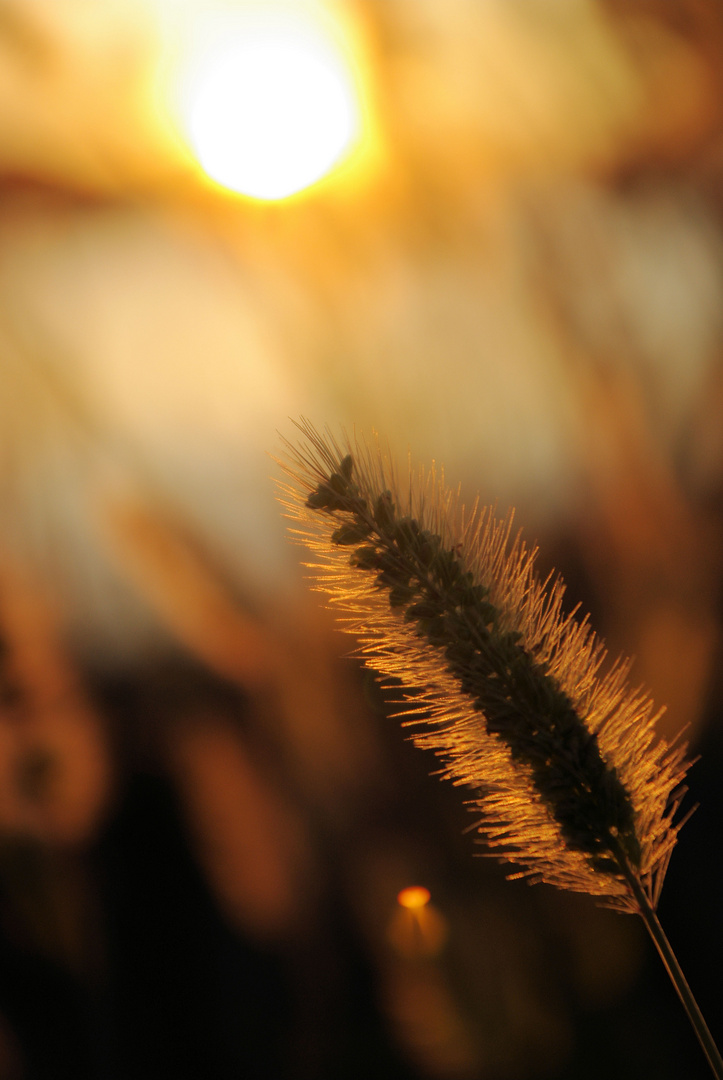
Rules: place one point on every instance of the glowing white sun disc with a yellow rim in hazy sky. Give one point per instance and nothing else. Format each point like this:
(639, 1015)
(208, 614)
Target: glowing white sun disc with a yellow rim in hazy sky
(273, 109)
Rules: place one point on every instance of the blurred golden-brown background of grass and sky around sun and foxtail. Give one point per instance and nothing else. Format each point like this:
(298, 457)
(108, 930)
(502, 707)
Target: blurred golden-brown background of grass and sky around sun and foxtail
(206, 816)
